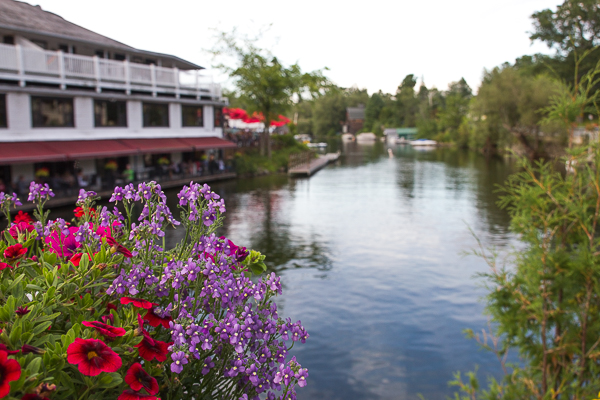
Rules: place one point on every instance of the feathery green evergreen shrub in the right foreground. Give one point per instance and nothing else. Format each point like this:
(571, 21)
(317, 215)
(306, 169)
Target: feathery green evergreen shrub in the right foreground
(546, 305)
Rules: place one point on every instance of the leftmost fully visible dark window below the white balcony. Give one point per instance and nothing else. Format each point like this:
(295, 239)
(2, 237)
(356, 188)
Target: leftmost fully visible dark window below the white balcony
(51, 112)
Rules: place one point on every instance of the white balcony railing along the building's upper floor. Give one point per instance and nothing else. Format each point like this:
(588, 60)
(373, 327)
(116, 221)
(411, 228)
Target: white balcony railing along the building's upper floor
(33, 65)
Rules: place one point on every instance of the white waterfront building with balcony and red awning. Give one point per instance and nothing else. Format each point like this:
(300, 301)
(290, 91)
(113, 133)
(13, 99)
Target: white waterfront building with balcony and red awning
(72, 100)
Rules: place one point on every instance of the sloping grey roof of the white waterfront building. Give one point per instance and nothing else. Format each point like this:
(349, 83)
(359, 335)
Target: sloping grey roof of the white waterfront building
(23, 17)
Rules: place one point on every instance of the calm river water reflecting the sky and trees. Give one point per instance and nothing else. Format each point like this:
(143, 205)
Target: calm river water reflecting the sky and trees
(371, 257)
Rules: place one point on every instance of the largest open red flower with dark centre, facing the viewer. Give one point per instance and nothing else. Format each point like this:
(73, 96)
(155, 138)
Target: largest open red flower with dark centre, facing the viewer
(93, 356)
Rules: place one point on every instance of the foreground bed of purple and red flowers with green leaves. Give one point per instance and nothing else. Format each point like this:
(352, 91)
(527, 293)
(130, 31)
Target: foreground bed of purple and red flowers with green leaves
(99, 309)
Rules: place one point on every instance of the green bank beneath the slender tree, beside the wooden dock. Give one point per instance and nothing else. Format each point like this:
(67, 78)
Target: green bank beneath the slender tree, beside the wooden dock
(249, 162)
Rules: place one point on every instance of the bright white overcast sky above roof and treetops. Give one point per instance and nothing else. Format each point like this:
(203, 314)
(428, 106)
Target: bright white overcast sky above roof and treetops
(369, 44)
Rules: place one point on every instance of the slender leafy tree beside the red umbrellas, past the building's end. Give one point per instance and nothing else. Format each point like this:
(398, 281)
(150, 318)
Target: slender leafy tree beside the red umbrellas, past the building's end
(263, 84)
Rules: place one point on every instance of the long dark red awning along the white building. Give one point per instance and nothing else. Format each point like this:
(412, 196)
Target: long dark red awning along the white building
(24, 152)
